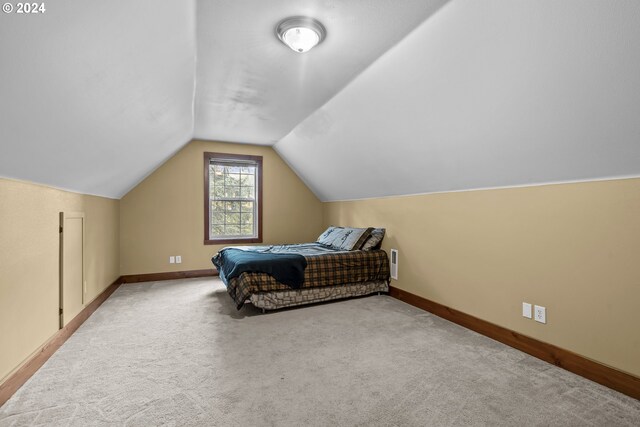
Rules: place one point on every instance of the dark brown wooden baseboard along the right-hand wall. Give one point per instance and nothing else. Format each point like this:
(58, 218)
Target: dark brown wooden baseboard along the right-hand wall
(602, 374)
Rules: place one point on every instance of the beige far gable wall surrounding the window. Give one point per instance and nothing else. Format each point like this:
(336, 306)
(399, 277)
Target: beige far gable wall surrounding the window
(164, 214)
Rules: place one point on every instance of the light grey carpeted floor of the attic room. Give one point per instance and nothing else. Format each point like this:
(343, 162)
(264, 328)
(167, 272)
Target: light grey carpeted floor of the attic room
(178, 353)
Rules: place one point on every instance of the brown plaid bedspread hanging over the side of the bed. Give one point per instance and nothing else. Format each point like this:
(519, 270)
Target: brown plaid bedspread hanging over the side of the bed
(329, 269)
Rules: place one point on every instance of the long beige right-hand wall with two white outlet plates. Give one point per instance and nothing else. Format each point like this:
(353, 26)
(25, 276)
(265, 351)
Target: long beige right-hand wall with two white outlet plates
(573, 248)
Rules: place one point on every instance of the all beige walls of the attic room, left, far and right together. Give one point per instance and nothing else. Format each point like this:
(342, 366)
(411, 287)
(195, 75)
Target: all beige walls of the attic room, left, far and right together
(573, 248)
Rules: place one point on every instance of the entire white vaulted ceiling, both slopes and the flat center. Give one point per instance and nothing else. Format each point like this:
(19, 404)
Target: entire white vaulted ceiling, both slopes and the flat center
(402, 97)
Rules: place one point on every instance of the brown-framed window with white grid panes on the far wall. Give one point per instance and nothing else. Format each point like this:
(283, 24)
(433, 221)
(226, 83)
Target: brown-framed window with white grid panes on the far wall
(232, 198)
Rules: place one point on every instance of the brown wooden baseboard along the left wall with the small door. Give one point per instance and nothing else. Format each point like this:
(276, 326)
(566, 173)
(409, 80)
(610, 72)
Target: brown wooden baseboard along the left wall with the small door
(19, 377)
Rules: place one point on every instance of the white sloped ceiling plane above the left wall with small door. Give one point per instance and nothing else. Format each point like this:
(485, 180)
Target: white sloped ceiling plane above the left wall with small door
(94, 95)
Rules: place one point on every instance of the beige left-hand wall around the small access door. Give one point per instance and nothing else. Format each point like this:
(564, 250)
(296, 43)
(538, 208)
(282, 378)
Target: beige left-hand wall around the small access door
(29, 260)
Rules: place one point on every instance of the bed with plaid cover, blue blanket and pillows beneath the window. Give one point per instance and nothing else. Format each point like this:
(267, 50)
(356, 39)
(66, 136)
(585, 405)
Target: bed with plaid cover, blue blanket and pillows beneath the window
(344, 262)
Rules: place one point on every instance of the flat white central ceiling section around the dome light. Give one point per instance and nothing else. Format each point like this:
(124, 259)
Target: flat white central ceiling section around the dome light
(251, 88)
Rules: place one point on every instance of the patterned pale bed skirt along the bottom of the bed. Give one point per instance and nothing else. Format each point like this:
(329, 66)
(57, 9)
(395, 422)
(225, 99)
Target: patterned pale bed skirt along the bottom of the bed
(279, 299)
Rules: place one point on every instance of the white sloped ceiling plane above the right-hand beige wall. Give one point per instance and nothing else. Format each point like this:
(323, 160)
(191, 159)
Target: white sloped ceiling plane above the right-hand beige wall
(484, 94)
